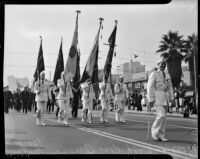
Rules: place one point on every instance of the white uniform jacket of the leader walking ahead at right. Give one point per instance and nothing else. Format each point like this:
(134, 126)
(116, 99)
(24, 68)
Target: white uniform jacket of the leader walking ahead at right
(159, 89)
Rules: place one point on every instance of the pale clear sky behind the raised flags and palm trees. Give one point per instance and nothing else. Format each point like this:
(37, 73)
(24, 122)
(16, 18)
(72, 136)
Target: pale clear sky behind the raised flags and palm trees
(140, 30)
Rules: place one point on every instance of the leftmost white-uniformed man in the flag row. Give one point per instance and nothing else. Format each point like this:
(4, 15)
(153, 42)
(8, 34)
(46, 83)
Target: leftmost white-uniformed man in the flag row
(42, 90)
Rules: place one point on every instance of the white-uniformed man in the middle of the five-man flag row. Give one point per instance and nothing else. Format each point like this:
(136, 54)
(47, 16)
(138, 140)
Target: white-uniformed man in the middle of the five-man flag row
(87, 98)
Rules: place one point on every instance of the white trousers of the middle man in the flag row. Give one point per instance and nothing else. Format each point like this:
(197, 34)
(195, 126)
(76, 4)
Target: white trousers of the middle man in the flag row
(87, 104)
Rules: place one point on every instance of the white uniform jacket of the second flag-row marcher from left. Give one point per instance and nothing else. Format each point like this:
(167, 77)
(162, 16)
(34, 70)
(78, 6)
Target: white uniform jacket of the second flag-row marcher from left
(64, 94)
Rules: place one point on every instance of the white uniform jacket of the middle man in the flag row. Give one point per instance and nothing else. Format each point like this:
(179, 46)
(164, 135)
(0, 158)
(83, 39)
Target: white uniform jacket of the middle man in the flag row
(88, 92)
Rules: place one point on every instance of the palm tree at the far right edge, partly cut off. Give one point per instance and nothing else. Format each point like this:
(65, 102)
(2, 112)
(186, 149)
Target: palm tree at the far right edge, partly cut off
(191, 44)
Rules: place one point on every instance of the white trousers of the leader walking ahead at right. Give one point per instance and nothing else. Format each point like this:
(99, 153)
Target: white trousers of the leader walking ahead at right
(158, 127)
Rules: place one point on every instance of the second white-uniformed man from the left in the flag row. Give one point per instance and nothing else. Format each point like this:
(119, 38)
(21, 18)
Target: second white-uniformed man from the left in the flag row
(64, 95)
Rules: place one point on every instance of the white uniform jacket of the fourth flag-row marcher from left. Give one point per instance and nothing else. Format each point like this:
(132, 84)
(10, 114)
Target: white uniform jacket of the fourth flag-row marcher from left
(106, 91)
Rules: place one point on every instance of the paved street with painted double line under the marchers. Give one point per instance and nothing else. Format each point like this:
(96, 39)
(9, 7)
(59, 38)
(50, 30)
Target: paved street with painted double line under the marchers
(22, 135)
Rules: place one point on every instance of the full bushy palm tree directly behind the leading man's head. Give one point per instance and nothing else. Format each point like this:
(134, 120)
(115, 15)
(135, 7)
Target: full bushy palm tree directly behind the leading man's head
(171, 48)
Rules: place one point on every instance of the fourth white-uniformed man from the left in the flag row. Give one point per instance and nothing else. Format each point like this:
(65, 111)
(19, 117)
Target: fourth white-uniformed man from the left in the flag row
(105, 97)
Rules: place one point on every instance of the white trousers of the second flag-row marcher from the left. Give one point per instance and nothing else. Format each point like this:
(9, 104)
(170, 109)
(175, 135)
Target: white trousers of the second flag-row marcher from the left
(64, 109)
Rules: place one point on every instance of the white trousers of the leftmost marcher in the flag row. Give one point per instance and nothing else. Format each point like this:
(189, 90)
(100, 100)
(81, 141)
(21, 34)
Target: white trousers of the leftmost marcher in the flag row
(41, 107)
